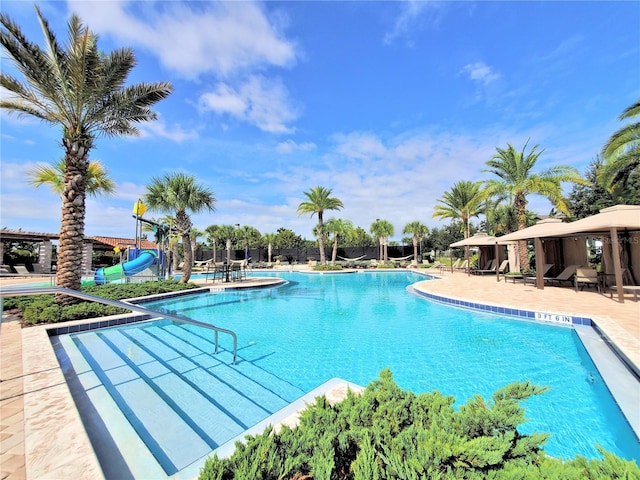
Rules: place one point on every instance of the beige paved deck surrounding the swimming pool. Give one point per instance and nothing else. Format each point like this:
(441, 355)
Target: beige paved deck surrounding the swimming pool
(35, 400)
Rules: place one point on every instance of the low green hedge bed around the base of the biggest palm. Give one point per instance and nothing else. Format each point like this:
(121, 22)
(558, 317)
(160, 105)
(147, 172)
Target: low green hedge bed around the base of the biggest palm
(43, 308)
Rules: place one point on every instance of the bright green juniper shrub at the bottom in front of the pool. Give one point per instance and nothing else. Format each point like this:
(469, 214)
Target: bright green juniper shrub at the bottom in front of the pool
(388, 433)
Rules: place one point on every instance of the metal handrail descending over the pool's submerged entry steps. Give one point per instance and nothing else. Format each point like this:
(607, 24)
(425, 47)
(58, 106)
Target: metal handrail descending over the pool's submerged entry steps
(5, 292)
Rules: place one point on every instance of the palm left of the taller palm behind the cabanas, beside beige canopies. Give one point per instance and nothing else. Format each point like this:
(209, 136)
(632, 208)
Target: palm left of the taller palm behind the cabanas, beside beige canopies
(464, 201)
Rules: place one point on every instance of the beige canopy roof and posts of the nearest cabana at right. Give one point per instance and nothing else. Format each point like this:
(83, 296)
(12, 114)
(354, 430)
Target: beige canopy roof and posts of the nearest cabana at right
(609, 223)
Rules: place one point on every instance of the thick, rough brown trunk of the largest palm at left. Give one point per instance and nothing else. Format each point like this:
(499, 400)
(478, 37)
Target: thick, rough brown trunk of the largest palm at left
(70, 244)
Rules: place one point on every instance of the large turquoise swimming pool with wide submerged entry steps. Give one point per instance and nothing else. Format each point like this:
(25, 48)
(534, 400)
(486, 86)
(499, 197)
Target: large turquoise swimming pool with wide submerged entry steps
(295, 337)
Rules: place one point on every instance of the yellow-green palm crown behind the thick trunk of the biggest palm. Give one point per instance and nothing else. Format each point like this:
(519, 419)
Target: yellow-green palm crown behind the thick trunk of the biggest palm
(98, 181)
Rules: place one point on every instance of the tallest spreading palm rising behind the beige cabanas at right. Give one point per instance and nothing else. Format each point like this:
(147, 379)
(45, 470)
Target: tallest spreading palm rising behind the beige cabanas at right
(517, 180)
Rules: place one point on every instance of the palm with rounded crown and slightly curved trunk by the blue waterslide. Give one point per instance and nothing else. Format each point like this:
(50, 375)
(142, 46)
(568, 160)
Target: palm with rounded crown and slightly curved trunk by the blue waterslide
(178, 193)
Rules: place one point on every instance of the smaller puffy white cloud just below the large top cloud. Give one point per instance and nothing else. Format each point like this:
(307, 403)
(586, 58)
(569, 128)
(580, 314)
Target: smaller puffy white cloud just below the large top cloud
(259, 101)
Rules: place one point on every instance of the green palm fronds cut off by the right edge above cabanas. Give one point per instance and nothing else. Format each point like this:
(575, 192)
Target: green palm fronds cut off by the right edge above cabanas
(622, 152)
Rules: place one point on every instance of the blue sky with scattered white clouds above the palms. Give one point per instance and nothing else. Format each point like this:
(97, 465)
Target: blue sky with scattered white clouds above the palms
(386, 103)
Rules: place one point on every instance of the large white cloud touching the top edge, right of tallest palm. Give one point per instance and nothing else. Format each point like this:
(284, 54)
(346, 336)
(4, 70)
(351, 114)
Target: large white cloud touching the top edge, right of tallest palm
(194, 38)
